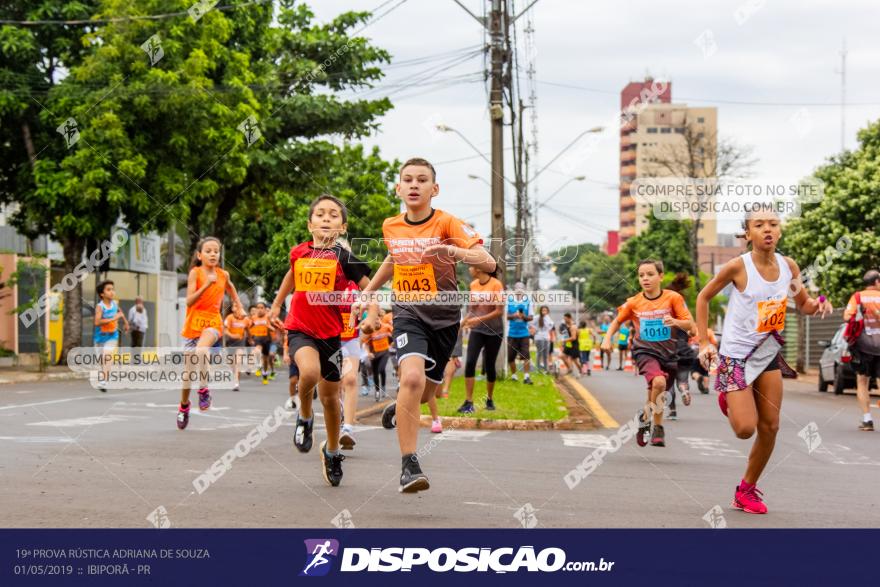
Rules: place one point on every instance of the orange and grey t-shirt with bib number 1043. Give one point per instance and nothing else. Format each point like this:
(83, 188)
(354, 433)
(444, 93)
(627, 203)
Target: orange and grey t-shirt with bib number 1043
(416, 274)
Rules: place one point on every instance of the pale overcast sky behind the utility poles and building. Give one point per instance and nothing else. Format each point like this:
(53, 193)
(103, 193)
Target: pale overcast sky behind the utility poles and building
(784, 52)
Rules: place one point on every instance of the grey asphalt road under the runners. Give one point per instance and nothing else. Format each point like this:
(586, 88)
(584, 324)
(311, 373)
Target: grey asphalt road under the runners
(73, 457)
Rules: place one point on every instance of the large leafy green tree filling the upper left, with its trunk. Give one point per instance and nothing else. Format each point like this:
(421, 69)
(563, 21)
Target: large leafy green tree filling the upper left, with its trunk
(177, 119)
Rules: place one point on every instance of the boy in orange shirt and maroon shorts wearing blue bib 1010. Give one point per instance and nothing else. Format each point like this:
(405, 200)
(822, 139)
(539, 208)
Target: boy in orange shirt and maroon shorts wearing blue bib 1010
(654, 313)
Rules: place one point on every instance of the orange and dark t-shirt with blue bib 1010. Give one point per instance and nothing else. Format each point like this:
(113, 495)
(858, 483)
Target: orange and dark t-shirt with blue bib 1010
(651, 336)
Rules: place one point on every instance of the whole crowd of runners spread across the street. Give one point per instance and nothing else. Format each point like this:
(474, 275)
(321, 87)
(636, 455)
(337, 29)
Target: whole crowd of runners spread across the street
(329, 347)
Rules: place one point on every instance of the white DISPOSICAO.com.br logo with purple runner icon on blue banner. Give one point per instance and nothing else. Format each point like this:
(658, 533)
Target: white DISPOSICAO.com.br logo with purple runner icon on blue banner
(441, 560)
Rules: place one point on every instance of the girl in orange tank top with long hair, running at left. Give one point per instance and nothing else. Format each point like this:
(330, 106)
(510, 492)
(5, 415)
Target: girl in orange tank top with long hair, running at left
(203, 327)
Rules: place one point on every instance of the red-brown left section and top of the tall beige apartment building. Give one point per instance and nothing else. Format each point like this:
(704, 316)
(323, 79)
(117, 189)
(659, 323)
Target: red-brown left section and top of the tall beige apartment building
(634, 97)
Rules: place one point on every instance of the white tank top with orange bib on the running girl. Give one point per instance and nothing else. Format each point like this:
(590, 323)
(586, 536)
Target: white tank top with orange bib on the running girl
(755, 311)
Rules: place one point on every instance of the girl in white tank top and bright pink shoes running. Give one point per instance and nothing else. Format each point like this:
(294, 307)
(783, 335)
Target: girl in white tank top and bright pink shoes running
(750, 366)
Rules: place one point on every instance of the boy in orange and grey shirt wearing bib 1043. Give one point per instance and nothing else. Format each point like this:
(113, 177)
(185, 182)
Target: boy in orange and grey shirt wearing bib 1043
(424, 246)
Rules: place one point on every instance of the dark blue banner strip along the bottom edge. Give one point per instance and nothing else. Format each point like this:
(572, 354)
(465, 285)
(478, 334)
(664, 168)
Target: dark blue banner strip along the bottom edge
(391, 557)
